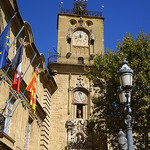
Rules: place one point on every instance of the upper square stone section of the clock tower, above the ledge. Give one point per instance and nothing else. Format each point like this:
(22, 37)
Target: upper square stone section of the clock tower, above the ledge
(67, 43)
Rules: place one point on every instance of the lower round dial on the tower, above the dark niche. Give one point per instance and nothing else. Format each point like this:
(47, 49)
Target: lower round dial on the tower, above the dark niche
(80, 97)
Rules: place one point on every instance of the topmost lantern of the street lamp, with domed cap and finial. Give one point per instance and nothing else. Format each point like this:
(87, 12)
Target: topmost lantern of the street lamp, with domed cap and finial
(125, 74)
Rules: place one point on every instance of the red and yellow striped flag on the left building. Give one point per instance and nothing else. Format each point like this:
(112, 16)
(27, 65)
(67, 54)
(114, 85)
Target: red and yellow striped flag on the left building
(32, 89)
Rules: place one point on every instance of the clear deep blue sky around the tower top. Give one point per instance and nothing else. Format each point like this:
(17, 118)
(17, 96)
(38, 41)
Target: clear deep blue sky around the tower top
(120, 16)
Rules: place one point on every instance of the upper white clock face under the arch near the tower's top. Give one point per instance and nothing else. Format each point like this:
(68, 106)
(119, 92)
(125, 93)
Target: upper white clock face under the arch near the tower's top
(80, 38)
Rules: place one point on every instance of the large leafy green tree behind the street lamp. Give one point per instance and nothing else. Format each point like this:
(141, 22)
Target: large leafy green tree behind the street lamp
(108, 112)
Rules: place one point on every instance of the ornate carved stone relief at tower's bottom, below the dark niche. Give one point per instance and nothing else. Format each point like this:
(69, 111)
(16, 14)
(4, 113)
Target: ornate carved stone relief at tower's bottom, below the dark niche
(79, 135)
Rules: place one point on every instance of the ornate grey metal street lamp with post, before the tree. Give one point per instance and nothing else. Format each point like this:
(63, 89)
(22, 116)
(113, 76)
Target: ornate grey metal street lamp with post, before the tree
(125, 75)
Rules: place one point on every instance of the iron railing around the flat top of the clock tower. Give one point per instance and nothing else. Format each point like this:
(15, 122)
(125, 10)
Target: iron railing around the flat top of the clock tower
(82, 13)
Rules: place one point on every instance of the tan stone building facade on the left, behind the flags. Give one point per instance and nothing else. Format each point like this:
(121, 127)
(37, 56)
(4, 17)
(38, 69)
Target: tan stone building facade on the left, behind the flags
(24, 131)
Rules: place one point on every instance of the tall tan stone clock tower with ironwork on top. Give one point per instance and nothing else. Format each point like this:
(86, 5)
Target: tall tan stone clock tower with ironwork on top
(80, 38)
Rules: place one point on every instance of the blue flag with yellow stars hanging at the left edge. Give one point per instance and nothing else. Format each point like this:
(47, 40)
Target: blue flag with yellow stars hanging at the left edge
(4, 44)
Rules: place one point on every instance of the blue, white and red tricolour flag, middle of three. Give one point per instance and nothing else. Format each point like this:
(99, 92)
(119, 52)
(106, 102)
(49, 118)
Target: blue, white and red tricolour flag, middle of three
(16, 65)
